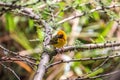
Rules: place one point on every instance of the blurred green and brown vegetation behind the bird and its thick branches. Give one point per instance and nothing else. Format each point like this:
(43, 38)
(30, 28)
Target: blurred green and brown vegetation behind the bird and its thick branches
(84, 21)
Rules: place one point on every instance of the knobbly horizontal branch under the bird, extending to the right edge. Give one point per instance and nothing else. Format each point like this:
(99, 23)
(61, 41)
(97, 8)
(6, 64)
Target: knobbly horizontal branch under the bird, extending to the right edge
(86, 47)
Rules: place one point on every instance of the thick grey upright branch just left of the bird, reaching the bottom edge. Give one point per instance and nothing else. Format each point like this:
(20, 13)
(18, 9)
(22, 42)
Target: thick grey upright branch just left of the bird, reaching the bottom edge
(45, 55)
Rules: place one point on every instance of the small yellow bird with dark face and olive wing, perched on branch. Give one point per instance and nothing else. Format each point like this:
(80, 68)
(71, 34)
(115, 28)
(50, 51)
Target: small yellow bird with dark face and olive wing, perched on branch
(59, 40)
